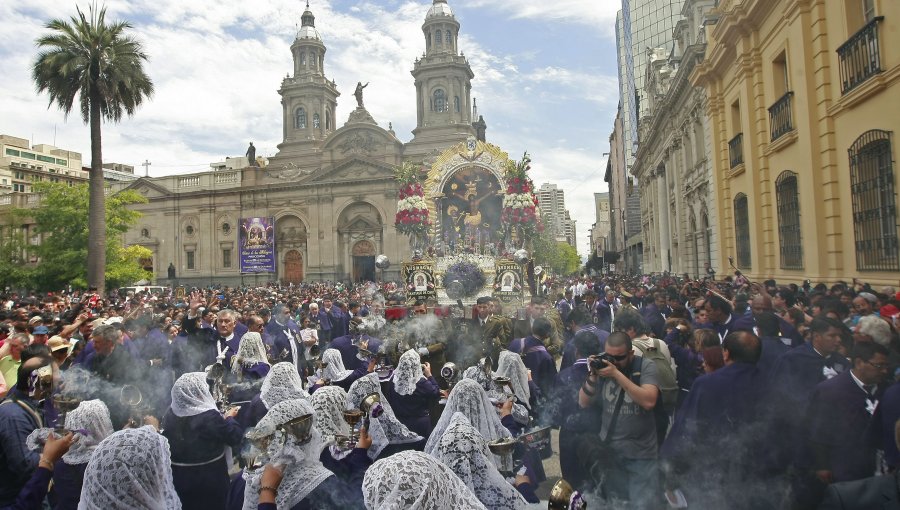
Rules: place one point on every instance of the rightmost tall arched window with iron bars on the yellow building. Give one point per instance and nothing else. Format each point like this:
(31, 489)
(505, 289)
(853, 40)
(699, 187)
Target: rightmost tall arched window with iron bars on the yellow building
(874, 202)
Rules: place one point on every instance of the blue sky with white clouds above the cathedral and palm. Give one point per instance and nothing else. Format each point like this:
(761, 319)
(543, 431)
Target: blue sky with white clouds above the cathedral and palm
(545, 79)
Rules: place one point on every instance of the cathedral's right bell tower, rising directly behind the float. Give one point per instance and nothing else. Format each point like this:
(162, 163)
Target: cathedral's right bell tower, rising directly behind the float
(443, 82)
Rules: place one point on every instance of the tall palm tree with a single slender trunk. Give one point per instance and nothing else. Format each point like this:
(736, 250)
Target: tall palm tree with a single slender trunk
(101, 67)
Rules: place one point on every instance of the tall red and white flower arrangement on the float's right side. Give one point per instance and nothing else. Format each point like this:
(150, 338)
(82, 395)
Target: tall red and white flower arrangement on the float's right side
(520, 211)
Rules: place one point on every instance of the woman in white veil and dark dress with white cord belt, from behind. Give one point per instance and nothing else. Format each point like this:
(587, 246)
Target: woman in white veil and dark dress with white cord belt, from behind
(198, 435)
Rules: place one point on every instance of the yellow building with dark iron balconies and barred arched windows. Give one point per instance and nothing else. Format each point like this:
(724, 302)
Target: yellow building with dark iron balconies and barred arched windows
(804, 104)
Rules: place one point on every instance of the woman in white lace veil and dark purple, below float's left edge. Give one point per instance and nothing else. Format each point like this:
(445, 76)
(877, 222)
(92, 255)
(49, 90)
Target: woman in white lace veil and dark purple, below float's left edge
(412, 391)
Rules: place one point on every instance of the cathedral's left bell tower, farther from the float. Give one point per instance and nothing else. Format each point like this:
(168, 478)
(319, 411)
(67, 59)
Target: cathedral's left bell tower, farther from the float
(308, 98)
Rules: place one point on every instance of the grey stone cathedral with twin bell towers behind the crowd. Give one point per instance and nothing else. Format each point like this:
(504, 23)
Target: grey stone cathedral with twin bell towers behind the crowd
(331, 190)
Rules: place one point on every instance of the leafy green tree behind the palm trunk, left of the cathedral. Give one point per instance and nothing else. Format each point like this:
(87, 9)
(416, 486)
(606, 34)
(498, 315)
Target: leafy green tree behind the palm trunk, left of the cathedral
(62, 220)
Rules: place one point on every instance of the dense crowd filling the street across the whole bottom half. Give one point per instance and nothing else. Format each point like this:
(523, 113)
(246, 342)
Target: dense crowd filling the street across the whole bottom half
(667, 392)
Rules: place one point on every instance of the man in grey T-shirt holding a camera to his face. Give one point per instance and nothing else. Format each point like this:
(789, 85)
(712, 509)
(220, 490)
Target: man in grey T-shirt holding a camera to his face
(625, 458)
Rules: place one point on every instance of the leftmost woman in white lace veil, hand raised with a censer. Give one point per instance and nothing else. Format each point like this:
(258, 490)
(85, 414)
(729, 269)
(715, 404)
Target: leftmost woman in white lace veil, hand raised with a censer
(91, 424)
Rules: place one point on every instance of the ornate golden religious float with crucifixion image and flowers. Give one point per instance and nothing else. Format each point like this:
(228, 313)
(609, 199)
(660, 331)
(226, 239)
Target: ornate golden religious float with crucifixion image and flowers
(470, 214)
